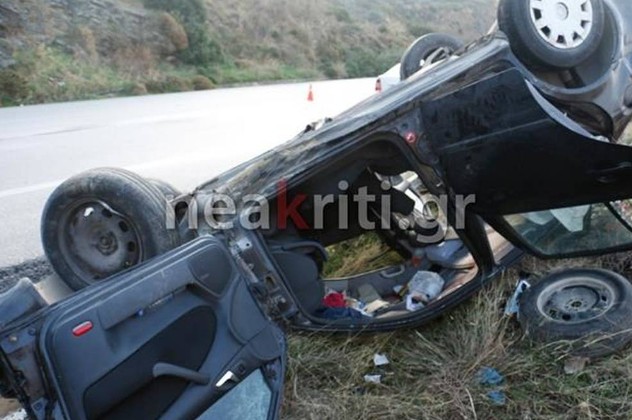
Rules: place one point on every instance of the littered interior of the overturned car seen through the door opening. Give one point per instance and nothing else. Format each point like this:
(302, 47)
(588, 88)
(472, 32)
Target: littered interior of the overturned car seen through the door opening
(417, 232)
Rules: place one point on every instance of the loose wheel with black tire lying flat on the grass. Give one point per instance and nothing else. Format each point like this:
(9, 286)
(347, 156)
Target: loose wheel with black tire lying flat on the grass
(591, 308)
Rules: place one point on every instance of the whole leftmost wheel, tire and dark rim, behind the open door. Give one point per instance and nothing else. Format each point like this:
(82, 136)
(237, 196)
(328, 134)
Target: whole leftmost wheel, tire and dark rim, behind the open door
(104, 221)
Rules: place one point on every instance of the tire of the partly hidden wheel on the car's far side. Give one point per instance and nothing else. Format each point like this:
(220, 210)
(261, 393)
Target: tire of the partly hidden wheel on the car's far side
(422, 48)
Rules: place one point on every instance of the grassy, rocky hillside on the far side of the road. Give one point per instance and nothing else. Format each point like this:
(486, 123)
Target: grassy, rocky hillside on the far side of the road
(54, 50)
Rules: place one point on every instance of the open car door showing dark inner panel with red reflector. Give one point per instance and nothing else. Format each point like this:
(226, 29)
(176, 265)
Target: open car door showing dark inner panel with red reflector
(180, 337)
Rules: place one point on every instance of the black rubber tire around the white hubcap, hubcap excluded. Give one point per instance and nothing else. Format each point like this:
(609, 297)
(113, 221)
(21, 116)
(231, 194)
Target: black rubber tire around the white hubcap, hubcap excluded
(515, 20)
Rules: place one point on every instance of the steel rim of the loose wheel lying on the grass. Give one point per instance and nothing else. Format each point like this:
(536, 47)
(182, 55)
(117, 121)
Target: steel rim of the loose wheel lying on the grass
(576, 300)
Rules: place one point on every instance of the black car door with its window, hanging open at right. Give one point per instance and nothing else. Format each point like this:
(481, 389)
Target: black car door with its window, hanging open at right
(537, 176)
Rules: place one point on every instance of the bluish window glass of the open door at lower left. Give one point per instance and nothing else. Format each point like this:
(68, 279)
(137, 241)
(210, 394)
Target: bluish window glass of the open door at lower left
(250, 399)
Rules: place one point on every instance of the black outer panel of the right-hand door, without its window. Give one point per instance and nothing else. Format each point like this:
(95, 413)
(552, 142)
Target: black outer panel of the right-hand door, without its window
(500, 140)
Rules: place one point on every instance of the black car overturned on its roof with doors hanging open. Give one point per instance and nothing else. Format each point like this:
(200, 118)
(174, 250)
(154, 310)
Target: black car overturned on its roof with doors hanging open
(505, 146)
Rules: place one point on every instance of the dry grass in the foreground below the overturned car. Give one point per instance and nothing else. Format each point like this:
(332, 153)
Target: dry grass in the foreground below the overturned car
(433, 369)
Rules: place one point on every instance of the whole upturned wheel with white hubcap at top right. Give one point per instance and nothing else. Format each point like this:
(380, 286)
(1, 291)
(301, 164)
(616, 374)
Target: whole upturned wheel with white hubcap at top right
(558, 34)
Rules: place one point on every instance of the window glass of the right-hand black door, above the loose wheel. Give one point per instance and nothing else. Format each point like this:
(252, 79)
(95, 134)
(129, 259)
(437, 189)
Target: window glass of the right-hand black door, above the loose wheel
(576, 229)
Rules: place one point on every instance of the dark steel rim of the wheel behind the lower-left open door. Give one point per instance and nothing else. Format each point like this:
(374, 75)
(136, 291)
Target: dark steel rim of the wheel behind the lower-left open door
(98, 241)
